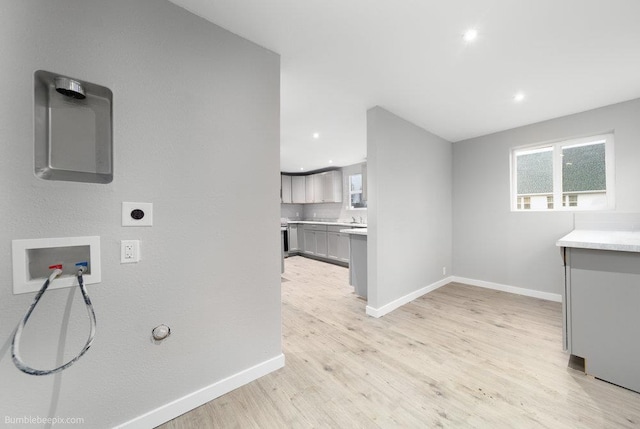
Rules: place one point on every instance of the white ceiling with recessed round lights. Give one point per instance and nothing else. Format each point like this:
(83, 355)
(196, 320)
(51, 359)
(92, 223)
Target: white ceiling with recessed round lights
(342, 57)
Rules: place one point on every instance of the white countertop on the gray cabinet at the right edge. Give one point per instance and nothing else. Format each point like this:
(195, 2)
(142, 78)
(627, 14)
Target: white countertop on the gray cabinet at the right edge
(623, 241)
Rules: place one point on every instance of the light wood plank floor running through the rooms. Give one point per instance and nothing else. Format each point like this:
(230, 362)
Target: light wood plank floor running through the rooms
(460, 356)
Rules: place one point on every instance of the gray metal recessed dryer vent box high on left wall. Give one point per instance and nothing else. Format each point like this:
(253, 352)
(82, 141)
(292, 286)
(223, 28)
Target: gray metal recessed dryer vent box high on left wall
(72, 129)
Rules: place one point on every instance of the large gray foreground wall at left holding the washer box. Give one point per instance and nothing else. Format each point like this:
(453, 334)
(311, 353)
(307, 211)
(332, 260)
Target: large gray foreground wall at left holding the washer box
(196, 132)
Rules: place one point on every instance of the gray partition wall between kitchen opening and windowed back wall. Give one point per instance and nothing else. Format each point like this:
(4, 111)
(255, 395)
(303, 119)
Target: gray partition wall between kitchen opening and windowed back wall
(409, 172)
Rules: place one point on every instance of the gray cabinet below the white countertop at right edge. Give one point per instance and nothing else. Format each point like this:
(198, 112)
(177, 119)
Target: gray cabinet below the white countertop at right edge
(602, 313)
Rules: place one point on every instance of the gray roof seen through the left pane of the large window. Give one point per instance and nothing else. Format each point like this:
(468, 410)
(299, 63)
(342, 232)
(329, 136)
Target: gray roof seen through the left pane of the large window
(535, 171)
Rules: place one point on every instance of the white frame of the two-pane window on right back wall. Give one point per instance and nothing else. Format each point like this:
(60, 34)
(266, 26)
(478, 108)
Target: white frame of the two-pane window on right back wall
(557, 146)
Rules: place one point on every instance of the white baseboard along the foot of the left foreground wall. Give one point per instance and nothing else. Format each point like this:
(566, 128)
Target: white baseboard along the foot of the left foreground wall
(193, 400)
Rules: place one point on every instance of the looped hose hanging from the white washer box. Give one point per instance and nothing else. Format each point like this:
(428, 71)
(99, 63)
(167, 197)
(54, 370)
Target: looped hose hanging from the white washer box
(15, 343)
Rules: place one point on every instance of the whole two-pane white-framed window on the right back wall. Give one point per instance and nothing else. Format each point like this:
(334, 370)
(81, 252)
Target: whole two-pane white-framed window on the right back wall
(568, 175)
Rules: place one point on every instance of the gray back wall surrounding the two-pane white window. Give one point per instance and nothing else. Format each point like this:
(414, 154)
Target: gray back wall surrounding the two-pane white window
(493, 244)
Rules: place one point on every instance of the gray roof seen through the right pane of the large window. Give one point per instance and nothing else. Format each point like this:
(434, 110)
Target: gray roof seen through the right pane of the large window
(584, 168)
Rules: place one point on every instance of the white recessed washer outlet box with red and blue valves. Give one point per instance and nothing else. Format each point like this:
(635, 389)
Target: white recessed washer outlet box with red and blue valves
(32, 258)
